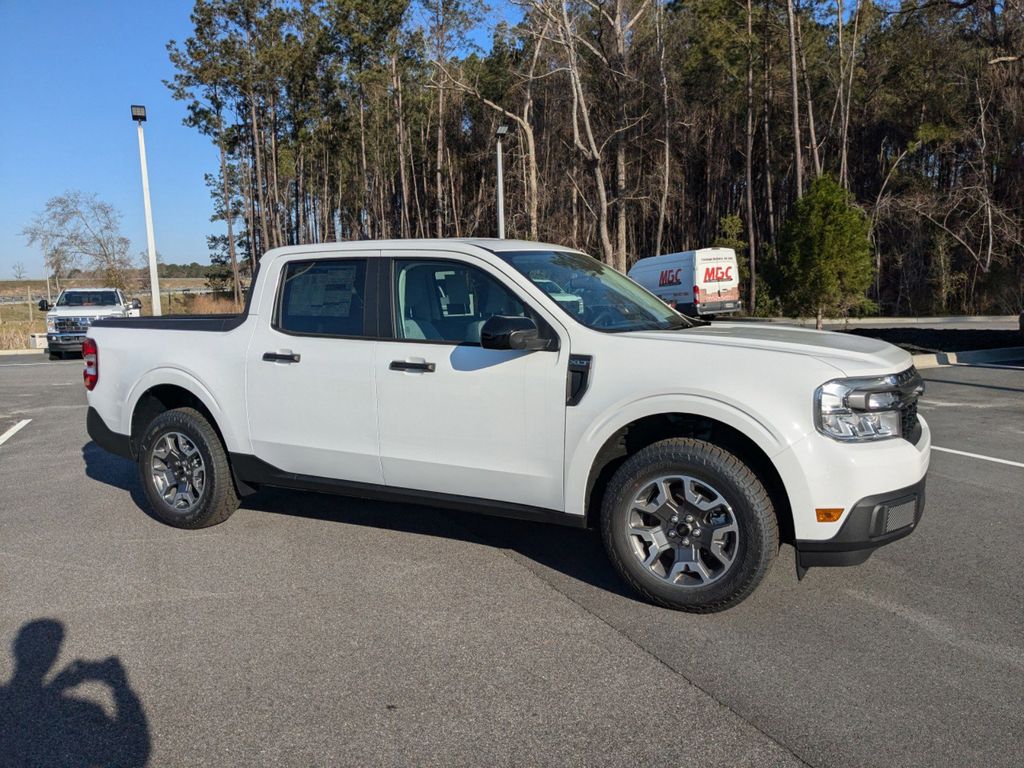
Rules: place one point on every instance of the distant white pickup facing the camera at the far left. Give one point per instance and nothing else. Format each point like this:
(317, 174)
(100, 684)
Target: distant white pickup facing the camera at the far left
(76, 310)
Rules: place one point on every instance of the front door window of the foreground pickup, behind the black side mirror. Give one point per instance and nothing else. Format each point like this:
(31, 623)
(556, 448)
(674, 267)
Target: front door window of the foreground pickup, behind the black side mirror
(448, 302)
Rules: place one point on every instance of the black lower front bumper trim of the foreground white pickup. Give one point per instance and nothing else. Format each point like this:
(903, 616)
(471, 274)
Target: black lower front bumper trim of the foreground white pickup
(873, 523)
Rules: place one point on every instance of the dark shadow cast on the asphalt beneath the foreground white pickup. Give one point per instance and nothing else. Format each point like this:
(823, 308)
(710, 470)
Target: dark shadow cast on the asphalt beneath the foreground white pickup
(577, 553)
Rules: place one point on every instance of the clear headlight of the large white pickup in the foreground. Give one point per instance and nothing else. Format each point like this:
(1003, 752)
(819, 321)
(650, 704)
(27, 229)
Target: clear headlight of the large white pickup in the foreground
(859, 410)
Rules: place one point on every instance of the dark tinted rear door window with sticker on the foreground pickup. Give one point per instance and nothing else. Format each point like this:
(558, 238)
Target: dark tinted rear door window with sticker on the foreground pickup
(323, 297)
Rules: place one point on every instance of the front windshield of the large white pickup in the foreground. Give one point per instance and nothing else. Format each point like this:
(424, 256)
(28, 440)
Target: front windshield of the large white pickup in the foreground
(593, 293)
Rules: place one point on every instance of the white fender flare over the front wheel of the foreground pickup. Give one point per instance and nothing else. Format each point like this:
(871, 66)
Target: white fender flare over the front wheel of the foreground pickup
(620, 415)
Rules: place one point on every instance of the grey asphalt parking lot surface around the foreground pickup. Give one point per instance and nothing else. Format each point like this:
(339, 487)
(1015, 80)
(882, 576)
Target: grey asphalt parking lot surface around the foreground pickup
(323, 631)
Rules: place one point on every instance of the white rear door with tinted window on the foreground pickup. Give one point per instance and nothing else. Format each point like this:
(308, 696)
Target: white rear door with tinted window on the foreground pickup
(310, 388)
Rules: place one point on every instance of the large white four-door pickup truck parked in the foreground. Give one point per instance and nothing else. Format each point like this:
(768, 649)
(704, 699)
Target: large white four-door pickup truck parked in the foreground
(445, 373)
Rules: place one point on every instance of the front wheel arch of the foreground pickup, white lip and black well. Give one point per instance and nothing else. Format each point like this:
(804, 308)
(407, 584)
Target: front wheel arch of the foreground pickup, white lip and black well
(616, 444)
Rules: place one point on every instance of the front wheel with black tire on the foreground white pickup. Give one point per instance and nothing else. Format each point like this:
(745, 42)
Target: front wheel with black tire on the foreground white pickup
(689, 480)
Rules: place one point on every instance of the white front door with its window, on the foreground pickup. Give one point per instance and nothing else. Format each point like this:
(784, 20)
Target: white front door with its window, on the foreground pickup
(456, 418)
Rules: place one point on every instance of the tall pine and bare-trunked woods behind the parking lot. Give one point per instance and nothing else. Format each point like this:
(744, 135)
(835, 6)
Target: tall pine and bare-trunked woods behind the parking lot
(857, 154)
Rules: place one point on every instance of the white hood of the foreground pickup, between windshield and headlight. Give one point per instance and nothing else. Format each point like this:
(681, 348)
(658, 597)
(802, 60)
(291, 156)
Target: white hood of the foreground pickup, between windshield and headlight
(855, 356)
